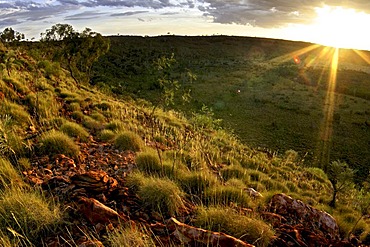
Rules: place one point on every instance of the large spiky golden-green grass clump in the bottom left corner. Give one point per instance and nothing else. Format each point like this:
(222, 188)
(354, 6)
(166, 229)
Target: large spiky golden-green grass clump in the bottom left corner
(15, 213)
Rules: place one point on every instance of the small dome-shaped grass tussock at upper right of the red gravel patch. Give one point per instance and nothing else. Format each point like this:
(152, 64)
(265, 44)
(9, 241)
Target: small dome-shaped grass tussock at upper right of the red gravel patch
(128, 141)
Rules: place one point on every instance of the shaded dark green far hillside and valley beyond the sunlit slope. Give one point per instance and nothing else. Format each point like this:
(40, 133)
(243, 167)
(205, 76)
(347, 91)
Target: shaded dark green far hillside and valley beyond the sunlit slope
(269, 99)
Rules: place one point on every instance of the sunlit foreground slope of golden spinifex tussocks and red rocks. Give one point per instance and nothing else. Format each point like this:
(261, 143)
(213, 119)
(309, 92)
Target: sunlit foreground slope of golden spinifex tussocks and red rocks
(80, 167)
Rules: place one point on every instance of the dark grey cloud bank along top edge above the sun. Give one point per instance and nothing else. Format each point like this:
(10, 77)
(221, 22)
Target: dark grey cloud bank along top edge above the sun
(266, 13)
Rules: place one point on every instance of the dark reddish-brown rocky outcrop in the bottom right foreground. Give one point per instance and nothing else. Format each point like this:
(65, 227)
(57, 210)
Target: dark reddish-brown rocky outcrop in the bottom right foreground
(303, 225)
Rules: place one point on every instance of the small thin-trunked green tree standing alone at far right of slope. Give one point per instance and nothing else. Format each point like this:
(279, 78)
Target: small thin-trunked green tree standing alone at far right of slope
(340, 176)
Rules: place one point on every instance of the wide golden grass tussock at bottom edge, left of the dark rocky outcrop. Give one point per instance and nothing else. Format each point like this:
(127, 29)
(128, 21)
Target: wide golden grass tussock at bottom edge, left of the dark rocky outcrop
(226, 220)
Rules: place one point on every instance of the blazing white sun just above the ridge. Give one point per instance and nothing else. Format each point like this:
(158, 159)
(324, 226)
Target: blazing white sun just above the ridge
(341, 27)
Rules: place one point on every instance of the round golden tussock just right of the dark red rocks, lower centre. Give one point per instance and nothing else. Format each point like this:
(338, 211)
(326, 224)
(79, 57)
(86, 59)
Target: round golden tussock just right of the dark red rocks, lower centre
(161, 195)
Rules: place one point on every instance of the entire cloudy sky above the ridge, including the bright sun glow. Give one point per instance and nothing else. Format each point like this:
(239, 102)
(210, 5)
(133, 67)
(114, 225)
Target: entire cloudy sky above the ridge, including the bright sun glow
(332, 22)
